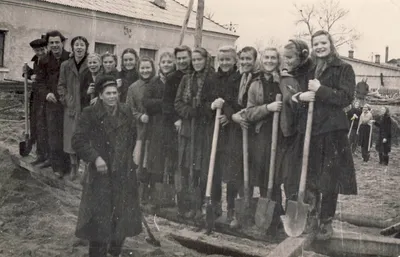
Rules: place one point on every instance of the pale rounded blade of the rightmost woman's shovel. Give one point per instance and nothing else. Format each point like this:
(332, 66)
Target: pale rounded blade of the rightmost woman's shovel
(295, 219)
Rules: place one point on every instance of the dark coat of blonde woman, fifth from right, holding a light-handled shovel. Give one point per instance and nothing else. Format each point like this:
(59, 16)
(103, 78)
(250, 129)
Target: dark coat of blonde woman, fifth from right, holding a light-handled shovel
(229, 158)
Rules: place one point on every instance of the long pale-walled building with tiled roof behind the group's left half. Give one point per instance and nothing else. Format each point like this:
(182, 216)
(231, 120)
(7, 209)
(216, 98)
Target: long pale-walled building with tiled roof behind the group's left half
(148, 26)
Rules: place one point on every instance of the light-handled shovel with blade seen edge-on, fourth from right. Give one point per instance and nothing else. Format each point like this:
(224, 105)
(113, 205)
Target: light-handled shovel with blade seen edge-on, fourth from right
(209, 207)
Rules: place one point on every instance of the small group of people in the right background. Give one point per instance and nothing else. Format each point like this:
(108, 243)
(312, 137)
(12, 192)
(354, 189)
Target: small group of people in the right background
(361, 131)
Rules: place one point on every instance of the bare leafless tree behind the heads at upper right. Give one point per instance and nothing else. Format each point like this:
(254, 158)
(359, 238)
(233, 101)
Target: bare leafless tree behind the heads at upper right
(327, 15)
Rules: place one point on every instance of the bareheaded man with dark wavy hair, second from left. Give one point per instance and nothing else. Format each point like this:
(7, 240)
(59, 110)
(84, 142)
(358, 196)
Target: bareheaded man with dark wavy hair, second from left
(60, 161)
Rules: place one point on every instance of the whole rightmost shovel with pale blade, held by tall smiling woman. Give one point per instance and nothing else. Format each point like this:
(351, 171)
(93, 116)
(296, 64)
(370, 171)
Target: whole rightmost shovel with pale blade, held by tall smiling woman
(295, 219)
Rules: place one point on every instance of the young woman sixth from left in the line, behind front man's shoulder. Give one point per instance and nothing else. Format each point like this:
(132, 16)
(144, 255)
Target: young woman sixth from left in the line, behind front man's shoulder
(128, 73)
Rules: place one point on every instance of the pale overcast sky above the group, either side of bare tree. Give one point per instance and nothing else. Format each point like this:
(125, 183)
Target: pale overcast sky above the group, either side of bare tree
(378, 21)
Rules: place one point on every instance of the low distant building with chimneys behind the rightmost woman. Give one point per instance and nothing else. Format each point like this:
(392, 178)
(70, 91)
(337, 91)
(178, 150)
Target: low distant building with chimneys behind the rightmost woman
(377, 73)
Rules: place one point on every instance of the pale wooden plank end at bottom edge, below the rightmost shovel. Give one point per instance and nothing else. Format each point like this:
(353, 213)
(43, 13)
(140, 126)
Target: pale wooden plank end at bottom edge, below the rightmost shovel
(292, 246)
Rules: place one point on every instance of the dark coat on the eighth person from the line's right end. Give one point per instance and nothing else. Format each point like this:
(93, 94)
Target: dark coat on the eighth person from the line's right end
(152, 102)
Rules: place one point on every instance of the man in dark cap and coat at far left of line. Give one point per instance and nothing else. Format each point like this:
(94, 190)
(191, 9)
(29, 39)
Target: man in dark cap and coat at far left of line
(37, 111)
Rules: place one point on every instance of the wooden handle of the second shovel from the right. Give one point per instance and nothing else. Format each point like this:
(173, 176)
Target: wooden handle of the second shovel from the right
(275, 126)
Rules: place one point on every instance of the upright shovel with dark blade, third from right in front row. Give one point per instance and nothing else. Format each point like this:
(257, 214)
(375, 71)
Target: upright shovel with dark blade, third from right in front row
(242, 206)
